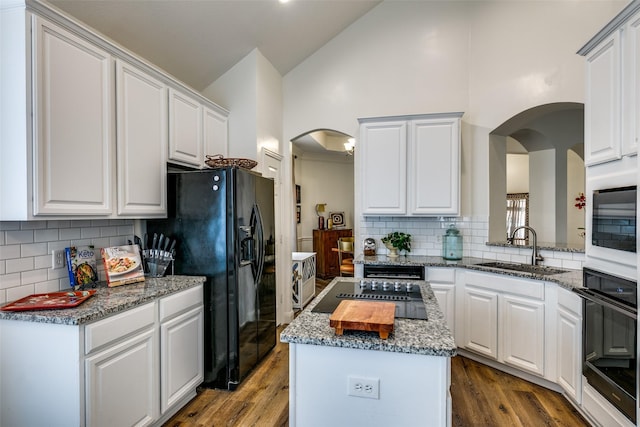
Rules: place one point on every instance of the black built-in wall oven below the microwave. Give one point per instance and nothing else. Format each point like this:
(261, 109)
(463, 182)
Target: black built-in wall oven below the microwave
(609, 338)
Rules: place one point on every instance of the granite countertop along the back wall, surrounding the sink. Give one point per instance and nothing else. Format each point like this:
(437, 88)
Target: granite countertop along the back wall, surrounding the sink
(569, 279)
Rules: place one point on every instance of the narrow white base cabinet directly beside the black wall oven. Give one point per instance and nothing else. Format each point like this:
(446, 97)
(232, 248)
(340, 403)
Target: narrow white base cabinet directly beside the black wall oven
(569, 343)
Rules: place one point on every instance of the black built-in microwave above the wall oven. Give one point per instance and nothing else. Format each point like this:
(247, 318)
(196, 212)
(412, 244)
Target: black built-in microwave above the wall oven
(614, 219)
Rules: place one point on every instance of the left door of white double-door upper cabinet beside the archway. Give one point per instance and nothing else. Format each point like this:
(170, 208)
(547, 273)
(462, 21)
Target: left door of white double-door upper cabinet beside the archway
(382, 159)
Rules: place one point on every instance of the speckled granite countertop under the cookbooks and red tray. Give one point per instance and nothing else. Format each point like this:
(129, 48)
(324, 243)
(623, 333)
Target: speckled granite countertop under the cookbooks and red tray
(107, 301)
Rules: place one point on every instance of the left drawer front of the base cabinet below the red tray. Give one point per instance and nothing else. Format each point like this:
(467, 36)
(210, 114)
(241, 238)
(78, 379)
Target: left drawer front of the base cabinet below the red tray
(119, 326)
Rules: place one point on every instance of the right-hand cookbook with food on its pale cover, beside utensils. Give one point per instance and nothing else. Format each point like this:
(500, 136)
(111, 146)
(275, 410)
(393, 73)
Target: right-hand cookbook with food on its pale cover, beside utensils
(122, 265)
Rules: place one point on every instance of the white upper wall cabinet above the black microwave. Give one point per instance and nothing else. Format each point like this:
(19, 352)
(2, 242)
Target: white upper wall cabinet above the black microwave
(612, 104)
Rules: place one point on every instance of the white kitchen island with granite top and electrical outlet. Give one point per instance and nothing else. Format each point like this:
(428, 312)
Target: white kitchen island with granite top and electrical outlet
(403, 380)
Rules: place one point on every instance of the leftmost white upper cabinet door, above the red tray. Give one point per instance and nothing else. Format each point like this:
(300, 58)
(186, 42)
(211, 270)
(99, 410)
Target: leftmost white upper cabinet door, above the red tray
(73, 107)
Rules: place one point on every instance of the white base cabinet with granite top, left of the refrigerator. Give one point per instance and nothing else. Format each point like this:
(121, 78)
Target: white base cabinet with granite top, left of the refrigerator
(129, 355)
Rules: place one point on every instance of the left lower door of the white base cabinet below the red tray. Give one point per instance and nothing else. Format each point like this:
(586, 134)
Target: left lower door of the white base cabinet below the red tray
(121, 383)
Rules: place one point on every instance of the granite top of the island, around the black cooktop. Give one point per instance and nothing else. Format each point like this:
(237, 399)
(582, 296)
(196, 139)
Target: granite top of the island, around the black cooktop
(428, 337)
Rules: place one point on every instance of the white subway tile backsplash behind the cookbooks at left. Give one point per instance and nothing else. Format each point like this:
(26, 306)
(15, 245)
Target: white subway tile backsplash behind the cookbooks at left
(25, 251)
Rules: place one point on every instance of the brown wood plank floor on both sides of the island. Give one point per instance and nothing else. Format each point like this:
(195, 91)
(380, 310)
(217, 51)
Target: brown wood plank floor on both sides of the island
(482, 397)
